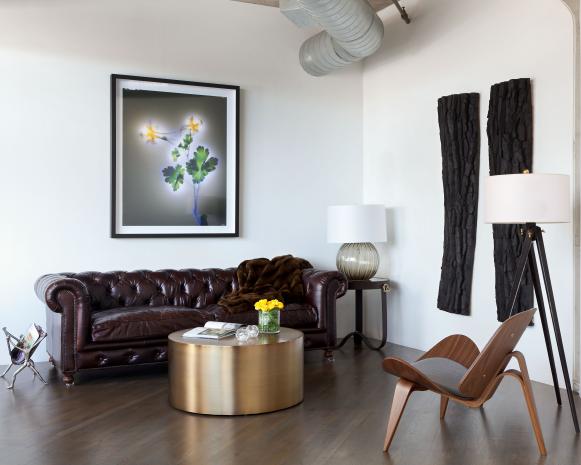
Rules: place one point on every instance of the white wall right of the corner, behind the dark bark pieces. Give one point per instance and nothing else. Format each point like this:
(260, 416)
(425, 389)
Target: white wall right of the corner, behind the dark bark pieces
(455, 46)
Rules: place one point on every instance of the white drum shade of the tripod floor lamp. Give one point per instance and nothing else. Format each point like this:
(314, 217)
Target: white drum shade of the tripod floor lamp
(527, 198)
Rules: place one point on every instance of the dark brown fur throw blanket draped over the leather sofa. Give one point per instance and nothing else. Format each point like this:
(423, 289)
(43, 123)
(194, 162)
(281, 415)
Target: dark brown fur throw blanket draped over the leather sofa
(261, 278)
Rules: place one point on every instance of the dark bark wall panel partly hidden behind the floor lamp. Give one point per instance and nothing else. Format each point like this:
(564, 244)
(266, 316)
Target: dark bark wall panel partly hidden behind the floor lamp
(510, 150)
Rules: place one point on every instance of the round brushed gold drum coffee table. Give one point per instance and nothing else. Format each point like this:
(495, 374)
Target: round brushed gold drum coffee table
(227, 377)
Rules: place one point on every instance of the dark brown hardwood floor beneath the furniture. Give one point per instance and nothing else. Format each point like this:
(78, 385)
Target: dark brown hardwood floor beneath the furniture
(126, 419)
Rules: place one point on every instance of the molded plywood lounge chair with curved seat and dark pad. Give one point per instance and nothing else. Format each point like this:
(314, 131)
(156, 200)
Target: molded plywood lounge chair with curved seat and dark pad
(455, 369)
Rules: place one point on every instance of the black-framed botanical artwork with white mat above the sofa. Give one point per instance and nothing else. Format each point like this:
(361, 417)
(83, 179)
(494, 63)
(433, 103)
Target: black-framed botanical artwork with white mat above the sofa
(174, 167)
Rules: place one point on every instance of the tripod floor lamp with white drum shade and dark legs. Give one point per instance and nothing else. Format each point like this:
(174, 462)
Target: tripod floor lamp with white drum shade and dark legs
(529, 199)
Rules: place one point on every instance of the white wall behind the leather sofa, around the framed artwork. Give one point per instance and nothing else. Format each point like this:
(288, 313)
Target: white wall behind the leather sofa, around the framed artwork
(301, 137)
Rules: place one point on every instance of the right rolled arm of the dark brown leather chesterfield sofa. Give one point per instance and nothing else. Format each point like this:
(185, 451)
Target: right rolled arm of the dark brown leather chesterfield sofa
(322, 289)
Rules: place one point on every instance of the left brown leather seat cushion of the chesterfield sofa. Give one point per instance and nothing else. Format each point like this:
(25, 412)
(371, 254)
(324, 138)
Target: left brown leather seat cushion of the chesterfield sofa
(129, 323)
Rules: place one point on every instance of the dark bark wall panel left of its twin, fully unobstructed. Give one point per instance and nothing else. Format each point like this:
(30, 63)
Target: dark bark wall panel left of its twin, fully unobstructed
(458, 116)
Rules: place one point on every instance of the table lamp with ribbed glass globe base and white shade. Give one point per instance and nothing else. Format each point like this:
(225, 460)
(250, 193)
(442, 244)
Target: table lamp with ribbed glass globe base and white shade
(356, 227)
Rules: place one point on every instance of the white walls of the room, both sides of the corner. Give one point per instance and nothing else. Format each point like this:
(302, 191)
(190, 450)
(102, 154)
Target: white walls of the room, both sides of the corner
(306, 134)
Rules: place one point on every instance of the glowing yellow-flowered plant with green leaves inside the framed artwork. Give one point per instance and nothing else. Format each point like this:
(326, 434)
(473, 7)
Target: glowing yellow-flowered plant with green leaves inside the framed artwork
(199, 164)
